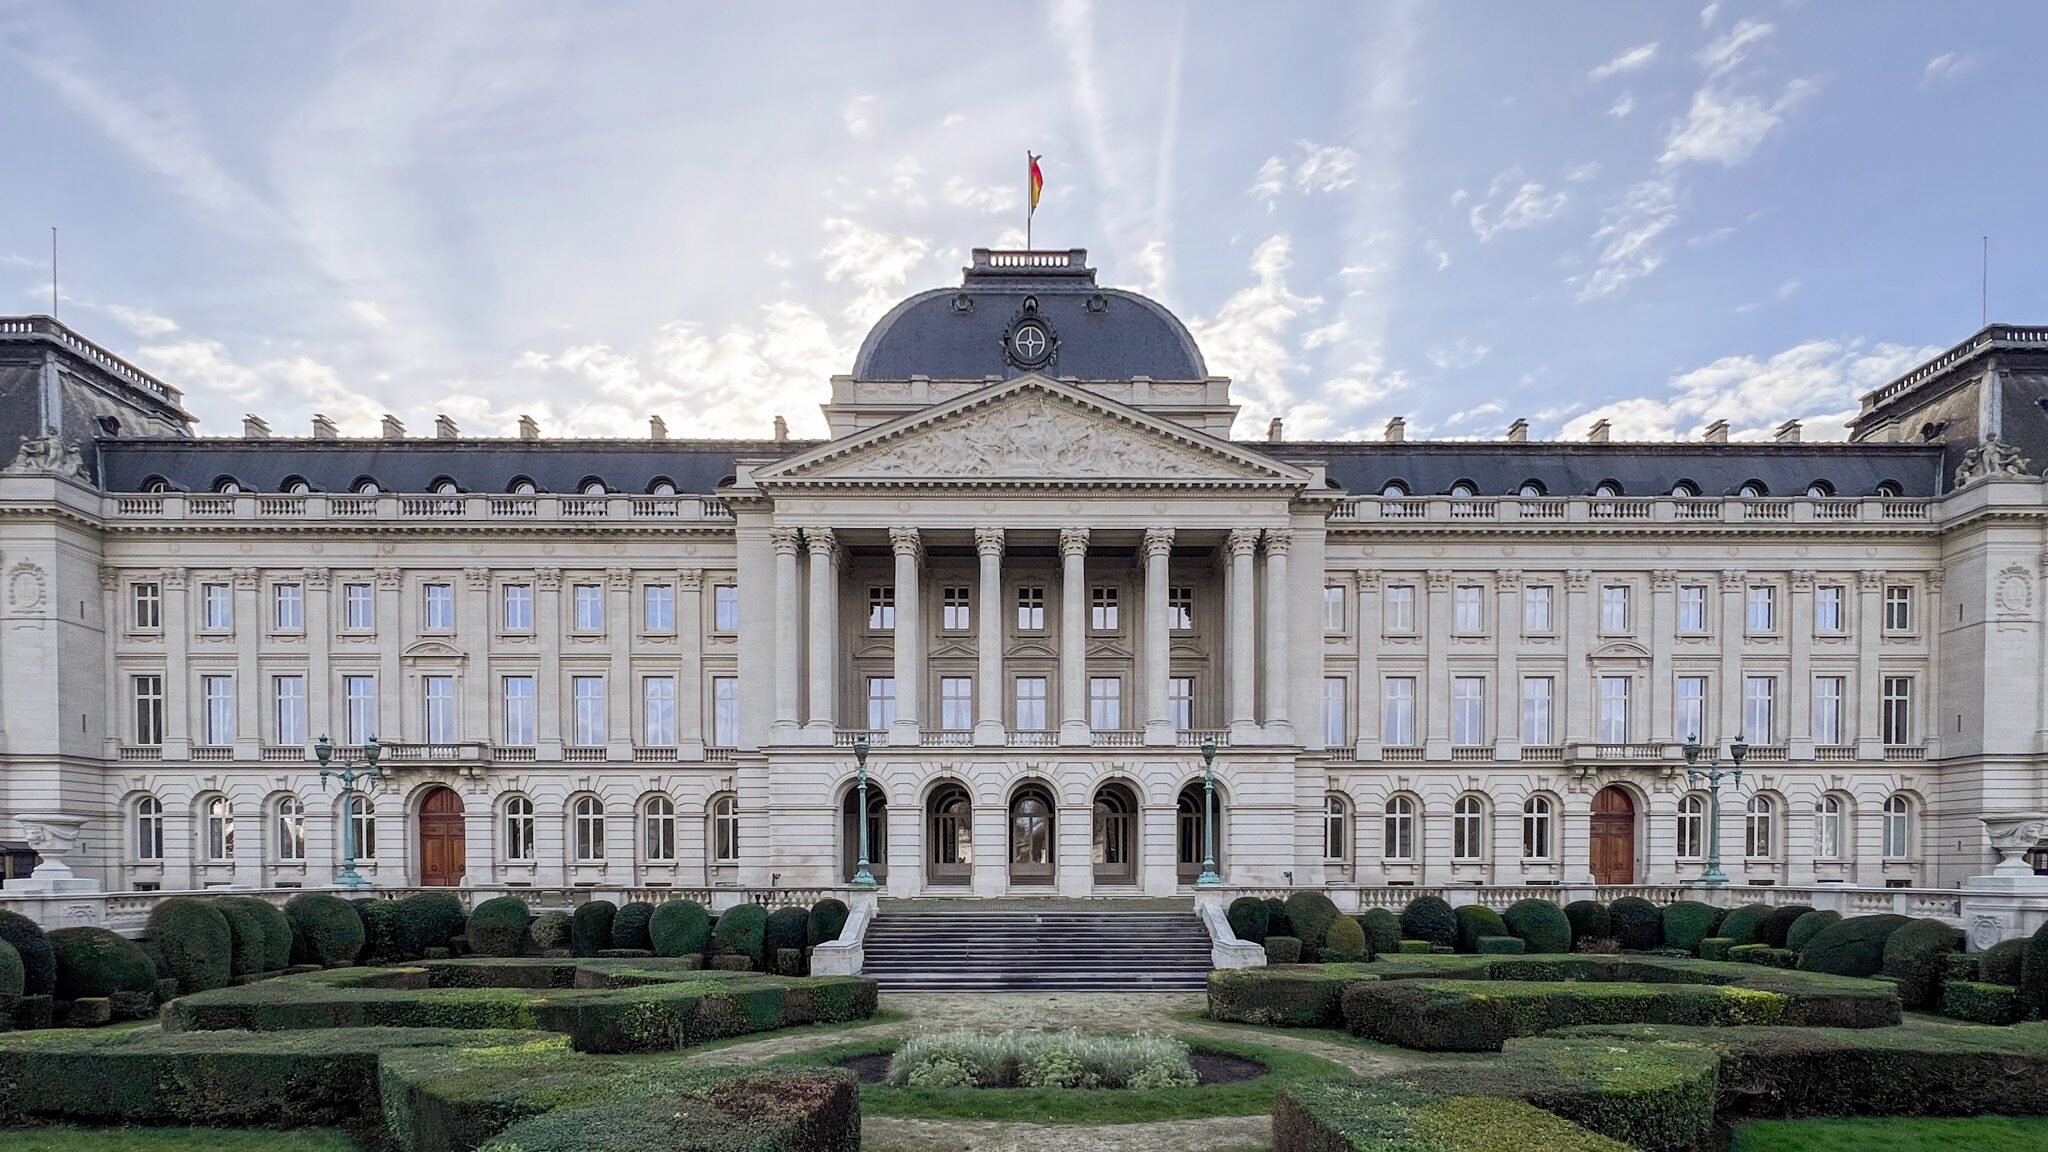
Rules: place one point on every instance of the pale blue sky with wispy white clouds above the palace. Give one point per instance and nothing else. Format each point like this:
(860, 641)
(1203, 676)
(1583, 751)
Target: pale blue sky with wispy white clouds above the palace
(1457, 214)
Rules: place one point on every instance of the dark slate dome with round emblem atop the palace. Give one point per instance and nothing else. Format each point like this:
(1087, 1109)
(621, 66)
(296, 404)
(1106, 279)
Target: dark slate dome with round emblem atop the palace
(1029, 313)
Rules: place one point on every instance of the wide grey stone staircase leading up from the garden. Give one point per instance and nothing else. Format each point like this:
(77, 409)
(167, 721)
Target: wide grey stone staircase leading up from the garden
(1058, 948)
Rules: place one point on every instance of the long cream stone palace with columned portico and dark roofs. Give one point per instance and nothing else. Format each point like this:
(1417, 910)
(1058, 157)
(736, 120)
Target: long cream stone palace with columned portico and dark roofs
(1033, 575)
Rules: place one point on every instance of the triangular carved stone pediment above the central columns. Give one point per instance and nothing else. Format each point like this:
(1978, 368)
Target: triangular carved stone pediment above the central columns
(1033, 431)
